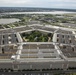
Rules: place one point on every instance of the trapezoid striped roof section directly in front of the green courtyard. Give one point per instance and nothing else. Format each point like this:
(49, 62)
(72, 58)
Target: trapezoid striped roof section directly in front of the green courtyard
(44, 51)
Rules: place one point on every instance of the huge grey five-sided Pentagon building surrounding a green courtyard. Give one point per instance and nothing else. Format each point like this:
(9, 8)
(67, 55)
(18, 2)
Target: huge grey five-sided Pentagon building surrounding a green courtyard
(15, 54)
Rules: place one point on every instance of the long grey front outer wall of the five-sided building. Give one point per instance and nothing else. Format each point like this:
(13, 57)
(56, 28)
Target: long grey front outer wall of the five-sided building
(38, 65)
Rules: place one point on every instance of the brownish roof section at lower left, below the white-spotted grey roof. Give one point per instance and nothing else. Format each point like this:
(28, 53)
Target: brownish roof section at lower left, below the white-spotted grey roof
(7, 51)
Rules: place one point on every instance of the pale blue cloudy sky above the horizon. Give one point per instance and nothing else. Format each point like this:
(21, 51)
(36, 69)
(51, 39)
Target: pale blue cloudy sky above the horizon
(68, 4)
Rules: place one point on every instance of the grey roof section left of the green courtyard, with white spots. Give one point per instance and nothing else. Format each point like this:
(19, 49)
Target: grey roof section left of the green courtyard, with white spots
(8, 38)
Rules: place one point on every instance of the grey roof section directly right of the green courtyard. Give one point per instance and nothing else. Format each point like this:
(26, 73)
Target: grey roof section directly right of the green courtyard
(66, 39)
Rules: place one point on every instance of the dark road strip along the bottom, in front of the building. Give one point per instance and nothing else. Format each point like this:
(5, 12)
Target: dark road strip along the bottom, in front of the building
(39, 72)
